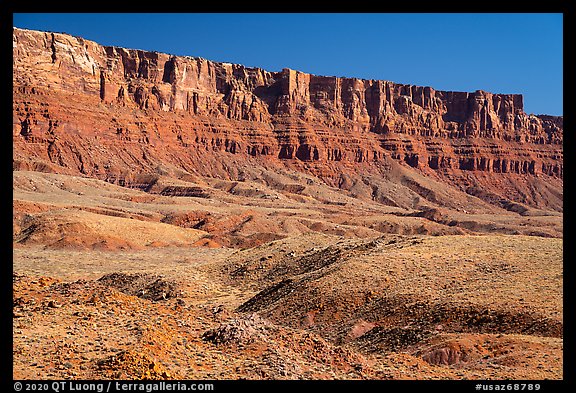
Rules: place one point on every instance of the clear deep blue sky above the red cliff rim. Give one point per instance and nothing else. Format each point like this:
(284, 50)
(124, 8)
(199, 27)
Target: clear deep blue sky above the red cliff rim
(500, 53)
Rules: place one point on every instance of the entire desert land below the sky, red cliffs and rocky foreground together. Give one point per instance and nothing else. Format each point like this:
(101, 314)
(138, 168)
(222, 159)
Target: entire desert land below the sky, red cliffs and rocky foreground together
(175, 217)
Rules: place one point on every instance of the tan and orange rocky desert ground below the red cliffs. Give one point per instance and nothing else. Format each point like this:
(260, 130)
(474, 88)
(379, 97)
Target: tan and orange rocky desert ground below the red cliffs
(116, 283)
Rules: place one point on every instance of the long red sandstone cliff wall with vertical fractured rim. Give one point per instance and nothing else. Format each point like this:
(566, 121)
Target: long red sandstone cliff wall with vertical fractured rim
(120, 114)
